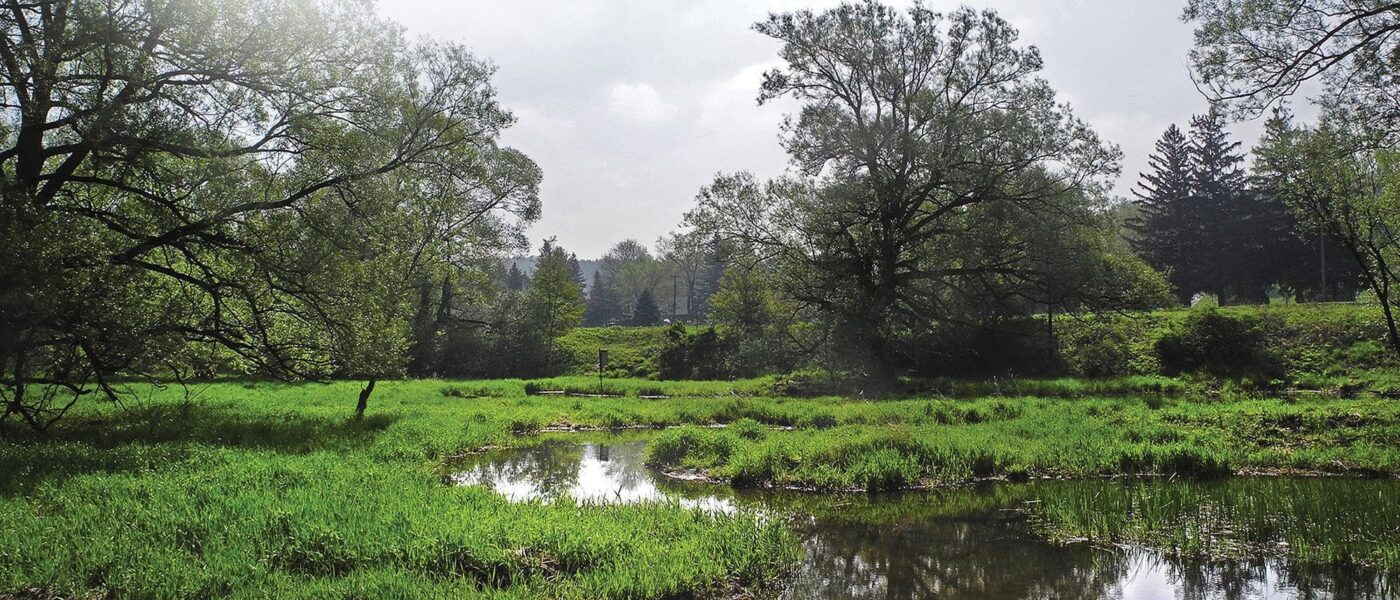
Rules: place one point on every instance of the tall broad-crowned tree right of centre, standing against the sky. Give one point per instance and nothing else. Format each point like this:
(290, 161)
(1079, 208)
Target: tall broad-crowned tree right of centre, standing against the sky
(913, 127)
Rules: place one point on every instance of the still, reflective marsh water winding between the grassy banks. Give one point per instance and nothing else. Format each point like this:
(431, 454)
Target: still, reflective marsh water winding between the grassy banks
(968, 543)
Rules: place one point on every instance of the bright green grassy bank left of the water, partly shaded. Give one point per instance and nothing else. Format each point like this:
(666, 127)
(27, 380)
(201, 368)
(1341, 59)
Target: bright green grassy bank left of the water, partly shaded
(272, 492)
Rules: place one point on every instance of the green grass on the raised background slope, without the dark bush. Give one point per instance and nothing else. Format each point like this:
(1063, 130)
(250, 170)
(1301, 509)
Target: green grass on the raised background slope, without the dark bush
(1339, 349)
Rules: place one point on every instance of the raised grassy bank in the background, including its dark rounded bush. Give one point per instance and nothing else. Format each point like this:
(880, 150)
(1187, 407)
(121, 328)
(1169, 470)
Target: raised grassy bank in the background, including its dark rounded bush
(1335, 348)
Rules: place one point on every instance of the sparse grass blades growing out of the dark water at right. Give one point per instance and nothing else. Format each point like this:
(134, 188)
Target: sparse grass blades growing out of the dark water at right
(1311, 521)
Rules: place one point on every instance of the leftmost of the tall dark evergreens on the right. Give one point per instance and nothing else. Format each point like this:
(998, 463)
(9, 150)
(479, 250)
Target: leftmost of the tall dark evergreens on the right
(1164, 199)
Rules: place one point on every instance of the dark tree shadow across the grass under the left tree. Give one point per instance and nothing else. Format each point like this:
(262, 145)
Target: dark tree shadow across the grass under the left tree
(157, 437)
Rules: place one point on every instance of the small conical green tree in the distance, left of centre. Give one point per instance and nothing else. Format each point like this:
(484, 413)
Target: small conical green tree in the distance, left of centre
(554, 303)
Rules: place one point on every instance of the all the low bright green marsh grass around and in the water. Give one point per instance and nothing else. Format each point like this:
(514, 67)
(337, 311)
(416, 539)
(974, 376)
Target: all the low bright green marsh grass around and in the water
(265, 490)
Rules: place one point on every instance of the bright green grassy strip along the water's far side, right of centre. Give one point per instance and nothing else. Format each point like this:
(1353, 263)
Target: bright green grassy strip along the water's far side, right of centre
(940, 443)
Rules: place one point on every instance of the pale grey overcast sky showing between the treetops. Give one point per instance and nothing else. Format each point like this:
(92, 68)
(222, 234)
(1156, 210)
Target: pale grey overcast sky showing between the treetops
(632, 106)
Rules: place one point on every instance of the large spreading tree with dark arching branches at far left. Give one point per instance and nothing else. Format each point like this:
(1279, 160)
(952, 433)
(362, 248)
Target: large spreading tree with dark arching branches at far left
(269, 183)
